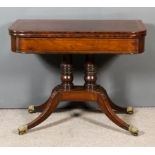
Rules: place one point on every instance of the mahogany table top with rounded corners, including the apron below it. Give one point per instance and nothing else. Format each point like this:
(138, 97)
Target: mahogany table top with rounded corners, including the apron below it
(78, 36)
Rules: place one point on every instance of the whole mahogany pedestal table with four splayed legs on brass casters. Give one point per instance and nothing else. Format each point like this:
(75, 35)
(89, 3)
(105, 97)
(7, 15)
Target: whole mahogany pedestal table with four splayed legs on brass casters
(88, 37)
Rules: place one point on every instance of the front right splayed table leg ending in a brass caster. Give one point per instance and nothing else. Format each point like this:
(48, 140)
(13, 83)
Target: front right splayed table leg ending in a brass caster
(104, 103)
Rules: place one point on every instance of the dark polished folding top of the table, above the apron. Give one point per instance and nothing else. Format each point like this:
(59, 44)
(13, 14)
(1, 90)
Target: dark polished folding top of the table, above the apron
(82, 28)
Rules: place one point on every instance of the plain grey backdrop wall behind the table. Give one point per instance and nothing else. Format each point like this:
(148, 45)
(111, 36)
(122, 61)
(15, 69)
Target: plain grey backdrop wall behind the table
(27, 79)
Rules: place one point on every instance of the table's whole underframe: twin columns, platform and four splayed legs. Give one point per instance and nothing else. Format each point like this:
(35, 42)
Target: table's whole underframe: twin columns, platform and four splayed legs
(90, 91)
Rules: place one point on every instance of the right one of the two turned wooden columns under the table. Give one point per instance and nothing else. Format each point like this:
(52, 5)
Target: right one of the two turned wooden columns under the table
(90, 73)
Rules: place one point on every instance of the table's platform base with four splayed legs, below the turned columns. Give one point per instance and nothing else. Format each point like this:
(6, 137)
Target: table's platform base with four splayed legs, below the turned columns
(79, 93)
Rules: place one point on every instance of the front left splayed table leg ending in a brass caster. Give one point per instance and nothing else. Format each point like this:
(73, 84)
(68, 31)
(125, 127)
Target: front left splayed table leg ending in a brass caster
(50, 107)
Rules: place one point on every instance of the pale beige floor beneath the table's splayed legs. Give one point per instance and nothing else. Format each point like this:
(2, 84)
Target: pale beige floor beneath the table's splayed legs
(77, 128)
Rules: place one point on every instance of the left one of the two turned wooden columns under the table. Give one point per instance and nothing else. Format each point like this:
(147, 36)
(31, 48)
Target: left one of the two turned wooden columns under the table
(66, 72)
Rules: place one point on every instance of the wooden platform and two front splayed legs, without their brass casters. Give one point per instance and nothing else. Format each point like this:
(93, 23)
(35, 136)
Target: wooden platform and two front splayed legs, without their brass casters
(78, 94)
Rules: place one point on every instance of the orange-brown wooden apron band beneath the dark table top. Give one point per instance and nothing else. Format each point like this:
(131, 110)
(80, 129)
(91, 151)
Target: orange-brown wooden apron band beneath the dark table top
(77, 45)
